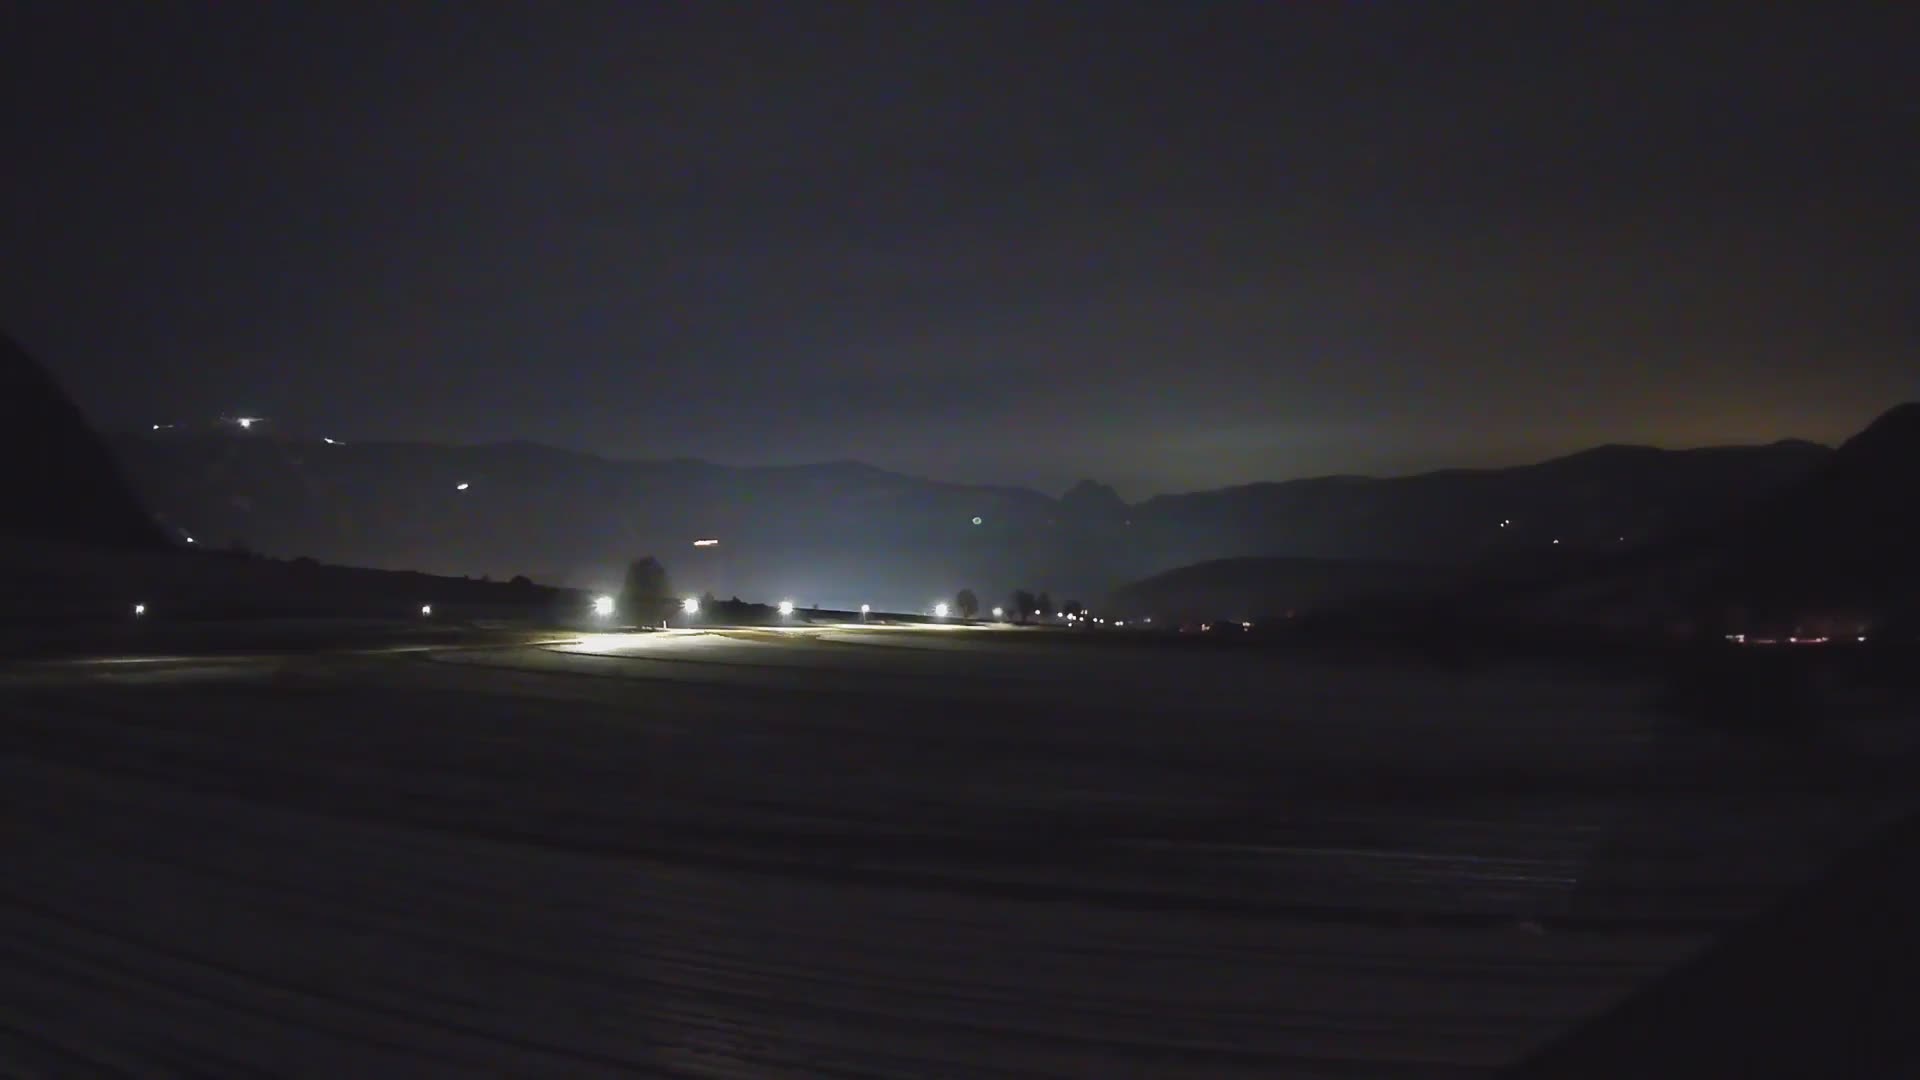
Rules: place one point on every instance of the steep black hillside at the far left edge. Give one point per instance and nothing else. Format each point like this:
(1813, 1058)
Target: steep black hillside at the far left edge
(59, 478)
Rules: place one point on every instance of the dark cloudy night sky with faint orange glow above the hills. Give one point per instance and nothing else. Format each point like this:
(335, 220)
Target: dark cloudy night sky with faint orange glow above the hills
(1163, 245)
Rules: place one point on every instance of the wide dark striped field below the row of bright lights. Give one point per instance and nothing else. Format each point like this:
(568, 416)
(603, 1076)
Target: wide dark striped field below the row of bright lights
(852, 852)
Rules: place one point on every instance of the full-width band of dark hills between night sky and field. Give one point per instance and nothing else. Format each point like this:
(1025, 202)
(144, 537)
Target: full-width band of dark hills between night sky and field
(1620, 533)
